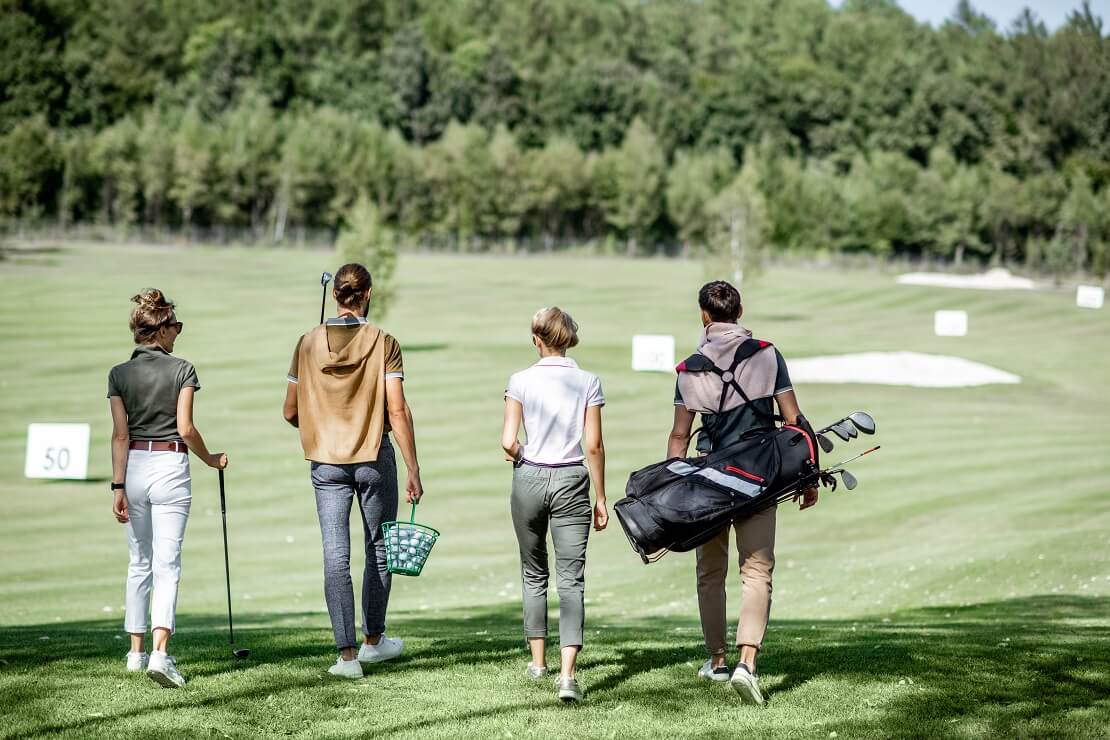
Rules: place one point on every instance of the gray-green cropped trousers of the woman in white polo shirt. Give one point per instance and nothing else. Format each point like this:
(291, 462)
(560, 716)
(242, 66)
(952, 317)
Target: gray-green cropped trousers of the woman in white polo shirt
(557, 500)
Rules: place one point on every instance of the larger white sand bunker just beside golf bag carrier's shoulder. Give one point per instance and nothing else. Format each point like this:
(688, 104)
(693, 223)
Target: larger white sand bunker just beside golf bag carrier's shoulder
(897, 369)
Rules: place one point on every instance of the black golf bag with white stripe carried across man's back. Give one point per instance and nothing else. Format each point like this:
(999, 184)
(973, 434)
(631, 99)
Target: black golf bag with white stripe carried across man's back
(682, 503)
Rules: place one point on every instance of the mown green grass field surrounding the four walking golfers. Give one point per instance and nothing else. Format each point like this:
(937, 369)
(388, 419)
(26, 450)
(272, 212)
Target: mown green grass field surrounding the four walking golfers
(963, 591)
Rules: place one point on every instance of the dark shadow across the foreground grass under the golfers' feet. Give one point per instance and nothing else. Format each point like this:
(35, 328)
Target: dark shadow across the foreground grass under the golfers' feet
(1020, 667)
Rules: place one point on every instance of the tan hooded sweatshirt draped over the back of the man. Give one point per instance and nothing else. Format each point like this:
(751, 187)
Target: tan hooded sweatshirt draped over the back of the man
(341, 397)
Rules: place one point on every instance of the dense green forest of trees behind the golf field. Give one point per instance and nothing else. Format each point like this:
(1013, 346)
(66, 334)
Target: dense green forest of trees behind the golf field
(699, 126)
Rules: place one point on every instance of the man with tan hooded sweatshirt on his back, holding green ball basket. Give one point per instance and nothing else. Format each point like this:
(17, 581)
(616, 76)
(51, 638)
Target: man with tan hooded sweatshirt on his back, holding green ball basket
(346, 396)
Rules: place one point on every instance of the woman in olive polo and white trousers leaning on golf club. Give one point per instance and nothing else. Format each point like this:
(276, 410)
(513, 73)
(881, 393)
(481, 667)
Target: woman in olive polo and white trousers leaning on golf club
(152, 399)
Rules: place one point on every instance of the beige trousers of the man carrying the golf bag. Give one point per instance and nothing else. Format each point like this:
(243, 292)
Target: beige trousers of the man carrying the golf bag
(756, 546)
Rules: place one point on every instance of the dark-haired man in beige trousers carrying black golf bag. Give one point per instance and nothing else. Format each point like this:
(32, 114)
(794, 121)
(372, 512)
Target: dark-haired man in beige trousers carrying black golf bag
(735, 393)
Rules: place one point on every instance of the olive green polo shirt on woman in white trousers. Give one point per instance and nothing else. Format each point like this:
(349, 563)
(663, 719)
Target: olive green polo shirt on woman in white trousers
(149, 384)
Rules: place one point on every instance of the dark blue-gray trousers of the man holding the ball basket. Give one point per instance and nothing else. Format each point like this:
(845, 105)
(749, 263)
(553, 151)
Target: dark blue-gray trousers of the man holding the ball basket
(376, 485)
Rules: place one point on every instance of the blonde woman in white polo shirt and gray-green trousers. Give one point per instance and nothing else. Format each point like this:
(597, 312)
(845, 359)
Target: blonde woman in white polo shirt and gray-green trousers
(561, 409)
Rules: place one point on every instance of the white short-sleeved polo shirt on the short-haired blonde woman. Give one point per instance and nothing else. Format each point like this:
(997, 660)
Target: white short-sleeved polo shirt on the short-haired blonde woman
(556, 394)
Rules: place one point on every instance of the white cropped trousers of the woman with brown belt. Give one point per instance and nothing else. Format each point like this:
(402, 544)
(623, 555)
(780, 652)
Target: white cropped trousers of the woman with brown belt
(159, 494)
